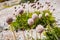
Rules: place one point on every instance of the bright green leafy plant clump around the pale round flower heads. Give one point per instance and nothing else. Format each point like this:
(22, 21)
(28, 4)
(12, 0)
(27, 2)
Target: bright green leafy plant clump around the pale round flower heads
(51, 31)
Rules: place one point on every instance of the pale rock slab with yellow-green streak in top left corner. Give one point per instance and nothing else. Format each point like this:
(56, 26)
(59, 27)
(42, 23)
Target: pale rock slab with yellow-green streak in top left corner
(9, 3)
